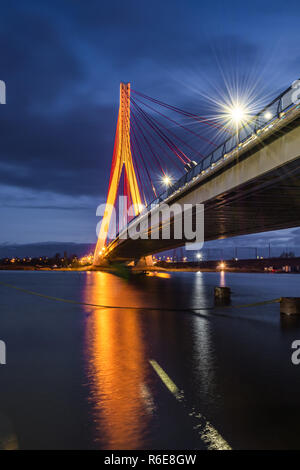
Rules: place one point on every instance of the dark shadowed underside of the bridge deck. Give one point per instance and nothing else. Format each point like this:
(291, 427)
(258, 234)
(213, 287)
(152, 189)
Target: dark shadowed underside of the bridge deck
(270, 202)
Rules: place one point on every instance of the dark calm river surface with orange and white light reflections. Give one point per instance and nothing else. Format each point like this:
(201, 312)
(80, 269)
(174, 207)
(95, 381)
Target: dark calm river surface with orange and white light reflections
(79, 377)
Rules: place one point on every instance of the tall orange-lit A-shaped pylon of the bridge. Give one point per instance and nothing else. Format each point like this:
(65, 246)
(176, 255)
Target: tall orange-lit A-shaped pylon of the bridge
(122, 161)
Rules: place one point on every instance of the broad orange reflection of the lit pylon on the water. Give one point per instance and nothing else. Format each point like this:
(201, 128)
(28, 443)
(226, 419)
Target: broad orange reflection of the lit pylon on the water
(116, 363)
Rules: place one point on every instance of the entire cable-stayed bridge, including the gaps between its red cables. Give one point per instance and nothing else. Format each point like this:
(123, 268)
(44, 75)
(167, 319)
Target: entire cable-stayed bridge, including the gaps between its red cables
(248, 182)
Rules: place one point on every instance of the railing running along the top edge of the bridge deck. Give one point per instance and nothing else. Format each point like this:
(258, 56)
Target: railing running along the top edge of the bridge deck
(264, 119)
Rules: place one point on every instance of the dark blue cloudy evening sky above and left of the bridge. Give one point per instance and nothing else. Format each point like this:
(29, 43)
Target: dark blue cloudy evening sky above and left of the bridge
(62, 62)
